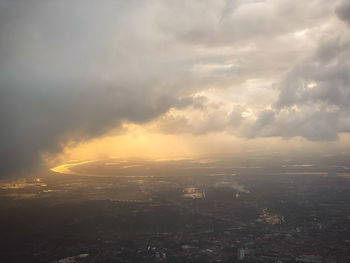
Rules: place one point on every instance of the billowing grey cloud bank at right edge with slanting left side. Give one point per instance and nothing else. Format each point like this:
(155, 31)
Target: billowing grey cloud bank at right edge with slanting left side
(314, 96)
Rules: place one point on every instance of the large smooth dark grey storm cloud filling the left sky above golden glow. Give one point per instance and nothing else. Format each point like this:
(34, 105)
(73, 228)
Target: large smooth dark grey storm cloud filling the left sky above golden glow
(71, 70)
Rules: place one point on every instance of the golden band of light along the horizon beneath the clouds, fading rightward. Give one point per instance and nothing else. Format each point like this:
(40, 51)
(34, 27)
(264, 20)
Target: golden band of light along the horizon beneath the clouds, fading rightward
(144, 142)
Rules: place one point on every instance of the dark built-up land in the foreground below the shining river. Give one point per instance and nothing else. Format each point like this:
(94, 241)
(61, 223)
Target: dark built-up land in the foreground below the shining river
(197, 218)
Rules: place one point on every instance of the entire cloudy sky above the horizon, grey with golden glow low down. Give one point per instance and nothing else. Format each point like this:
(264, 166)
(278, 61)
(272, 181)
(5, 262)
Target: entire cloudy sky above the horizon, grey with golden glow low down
(158, 79)
